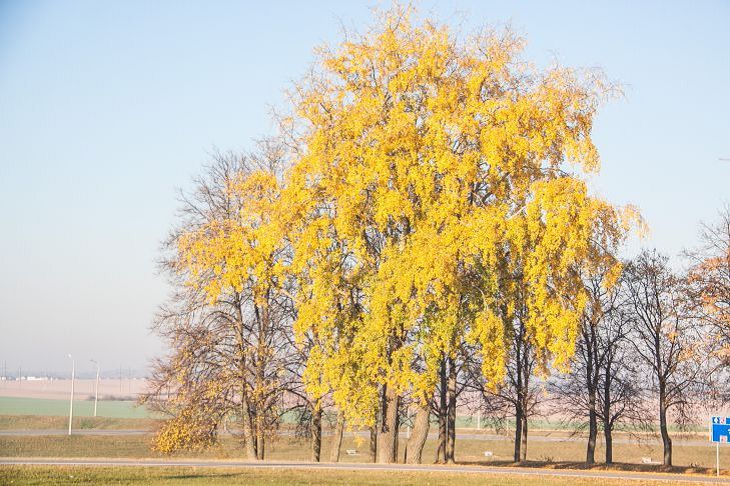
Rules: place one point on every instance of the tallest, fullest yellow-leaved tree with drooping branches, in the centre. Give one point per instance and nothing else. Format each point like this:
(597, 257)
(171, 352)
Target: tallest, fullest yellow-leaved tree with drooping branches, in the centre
(436, 179)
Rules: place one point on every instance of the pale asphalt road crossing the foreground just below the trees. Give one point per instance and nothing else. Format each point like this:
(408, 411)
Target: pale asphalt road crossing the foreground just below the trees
(501, 471)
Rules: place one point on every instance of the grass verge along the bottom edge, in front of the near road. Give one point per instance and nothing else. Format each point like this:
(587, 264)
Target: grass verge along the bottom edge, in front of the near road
(190, 475)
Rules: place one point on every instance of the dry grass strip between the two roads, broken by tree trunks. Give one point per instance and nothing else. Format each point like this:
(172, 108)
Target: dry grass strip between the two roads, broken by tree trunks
(564, 454)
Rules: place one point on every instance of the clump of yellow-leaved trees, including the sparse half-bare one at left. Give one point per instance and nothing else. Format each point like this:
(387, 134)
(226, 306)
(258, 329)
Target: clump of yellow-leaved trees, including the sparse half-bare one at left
(436, 202)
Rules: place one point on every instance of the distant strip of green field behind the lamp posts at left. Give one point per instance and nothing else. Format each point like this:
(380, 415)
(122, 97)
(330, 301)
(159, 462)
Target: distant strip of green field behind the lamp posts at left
(82, 408)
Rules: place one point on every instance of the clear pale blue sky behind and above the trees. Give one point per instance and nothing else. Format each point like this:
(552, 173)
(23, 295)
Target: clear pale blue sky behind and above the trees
(107, 107)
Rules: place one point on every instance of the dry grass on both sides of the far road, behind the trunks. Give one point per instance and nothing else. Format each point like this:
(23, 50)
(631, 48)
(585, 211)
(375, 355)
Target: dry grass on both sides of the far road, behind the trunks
(557, 453)
